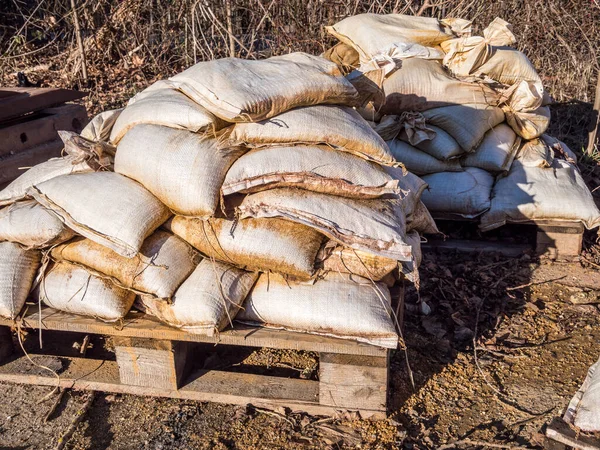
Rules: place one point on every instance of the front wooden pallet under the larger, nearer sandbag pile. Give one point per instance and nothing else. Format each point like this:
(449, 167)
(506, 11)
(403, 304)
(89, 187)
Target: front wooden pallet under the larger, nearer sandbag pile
(155, 359)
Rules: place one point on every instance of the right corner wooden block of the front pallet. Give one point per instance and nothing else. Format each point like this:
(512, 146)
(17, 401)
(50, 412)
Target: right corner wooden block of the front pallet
(353, 382)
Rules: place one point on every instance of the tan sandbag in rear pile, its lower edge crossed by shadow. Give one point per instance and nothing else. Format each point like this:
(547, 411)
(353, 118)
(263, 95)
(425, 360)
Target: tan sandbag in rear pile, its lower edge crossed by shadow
(419, 85)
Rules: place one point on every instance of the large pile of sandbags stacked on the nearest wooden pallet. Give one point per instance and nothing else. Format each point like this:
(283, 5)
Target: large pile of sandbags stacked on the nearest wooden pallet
(248, 190)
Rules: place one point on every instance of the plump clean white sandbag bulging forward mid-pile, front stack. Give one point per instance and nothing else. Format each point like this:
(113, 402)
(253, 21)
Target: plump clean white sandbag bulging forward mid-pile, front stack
(183, 170)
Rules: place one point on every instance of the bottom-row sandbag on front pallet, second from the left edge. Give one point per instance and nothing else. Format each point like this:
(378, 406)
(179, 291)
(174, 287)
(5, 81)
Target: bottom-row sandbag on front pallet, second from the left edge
(73, 289)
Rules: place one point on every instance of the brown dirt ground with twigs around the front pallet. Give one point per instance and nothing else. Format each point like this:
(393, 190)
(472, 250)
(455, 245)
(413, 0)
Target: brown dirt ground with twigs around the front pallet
(537, 333)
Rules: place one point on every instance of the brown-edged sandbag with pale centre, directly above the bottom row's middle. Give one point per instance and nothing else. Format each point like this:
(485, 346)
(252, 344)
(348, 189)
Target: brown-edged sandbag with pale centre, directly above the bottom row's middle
(254, 244)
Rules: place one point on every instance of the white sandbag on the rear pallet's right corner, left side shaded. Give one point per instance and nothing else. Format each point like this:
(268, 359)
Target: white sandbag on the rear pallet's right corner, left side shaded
(534, 193)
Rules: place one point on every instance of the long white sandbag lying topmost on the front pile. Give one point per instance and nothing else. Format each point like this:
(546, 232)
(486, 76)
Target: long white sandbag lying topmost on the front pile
(238, 90)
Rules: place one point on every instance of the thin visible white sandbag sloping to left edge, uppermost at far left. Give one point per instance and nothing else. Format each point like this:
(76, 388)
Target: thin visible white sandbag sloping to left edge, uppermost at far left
(17, 190)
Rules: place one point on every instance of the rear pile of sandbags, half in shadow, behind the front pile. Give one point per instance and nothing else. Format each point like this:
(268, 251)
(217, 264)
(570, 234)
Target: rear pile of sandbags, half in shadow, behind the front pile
(468, 114)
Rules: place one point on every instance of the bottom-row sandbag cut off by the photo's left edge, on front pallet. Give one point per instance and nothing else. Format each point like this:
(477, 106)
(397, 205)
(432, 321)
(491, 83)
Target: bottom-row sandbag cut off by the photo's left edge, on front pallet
(17, 273)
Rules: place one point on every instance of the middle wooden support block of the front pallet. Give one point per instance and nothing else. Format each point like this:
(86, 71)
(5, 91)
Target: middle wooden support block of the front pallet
(152, 363)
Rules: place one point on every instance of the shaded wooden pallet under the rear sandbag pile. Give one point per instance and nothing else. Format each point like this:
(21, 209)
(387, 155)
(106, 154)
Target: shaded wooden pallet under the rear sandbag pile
(556, 239)
